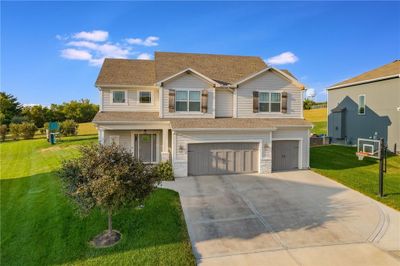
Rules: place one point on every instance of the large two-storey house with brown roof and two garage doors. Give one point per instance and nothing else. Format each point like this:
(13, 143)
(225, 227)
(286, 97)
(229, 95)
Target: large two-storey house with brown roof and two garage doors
(208, 114)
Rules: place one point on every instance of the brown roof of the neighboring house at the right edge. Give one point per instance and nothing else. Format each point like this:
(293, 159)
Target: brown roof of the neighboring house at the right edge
(389, 70)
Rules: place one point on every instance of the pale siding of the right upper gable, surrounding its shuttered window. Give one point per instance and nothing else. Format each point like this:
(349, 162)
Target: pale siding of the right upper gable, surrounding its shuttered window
(269, 81)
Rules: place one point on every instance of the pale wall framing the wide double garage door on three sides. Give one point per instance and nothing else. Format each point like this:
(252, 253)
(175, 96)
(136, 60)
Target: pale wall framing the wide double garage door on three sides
(182, 139)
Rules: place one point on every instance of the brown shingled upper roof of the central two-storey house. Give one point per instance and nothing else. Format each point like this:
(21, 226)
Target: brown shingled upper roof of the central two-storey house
(225, 69)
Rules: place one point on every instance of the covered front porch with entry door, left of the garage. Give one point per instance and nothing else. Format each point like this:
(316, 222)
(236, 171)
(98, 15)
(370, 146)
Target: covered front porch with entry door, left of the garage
(149, 143)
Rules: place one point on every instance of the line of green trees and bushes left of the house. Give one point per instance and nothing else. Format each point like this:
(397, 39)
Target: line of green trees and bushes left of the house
(22, 120)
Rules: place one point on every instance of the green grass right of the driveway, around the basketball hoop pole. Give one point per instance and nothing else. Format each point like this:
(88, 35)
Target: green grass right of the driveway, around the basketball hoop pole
(341, 164)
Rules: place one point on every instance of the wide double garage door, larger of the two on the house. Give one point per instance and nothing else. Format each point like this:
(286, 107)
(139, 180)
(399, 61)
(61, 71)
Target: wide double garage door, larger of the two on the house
(222, 158)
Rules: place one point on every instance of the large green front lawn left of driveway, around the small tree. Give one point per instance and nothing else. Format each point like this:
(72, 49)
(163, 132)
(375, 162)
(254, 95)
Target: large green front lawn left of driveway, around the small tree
(40, 227)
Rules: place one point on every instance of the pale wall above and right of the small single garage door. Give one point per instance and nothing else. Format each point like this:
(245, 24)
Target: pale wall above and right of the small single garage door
(296, 134)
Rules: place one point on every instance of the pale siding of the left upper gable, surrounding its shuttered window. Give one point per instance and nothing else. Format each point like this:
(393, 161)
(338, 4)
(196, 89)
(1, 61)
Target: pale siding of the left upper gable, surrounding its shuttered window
(188, 81)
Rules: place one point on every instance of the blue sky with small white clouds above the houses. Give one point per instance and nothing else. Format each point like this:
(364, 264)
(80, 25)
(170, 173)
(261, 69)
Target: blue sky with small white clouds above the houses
(51, 51)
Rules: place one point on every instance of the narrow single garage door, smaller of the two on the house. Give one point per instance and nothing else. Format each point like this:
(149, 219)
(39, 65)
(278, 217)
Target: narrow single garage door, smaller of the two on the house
(285, 155)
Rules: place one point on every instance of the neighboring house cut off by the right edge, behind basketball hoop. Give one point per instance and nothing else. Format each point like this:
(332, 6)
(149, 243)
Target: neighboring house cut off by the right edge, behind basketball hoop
(366, 106)
